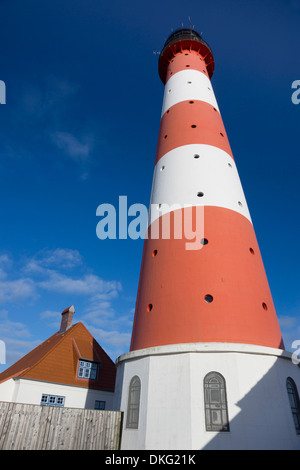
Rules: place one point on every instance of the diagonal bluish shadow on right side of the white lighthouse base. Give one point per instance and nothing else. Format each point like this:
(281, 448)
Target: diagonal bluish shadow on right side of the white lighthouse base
(268, 416)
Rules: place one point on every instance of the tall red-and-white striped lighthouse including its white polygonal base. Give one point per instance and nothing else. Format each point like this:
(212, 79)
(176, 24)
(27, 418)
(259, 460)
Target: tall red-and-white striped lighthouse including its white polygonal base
(207, 368)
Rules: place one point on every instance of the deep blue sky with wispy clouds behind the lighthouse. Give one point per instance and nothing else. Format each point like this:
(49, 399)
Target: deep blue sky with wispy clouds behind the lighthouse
(80, 128)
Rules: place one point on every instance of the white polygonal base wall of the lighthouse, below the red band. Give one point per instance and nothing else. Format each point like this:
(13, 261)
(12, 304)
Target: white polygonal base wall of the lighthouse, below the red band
(172, 397)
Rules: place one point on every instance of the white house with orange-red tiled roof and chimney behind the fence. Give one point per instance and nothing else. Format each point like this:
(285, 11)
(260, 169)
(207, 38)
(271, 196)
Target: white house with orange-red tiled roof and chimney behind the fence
(68, 369)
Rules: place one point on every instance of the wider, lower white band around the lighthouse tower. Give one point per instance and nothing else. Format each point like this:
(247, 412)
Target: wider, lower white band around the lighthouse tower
(197, 175)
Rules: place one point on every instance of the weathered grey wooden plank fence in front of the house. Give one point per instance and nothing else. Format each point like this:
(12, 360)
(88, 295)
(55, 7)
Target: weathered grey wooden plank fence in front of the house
(35, 427)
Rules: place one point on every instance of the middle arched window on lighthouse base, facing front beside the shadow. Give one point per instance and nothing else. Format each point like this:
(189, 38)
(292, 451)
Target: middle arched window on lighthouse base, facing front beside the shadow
(215, 401)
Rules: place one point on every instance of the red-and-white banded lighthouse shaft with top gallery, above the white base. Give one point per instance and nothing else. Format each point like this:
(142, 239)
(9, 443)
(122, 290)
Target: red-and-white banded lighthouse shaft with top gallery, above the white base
(220, 292)
